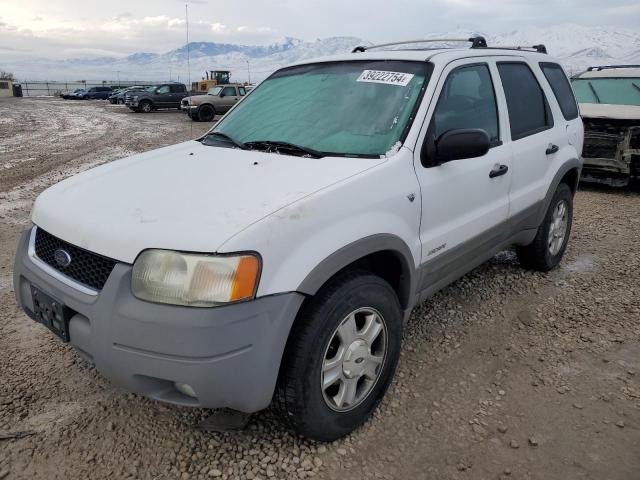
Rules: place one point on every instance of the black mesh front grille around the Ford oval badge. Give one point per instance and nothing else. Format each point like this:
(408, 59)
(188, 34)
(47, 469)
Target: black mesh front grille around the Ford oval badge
(86, 267)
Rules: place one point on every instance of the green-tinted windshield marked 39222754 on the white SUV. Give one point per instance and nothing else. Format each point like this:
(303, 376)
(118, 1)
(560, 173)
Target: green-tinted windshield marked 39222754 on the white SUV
(357, 108)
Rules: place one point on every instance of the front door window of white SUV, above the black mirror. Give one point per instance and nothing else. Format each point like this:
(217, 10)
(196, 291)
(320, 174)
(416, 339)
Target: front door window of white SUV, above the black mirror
(467, 100)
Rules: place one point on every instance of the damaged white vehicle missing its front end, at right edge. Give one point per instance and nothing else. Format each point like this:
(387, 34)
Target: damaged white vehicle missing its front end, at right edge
(609, 98)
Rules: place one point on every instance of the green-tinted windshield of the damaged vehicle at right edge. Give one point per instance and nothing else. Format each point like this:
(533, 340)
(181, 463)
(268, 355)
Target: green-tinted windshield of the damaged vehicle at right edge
(613, 91)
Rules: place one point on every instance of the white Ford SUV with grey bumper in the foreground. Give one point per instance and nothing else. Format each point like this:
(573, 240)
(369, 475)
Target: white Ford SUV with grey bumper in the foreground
(278, 256)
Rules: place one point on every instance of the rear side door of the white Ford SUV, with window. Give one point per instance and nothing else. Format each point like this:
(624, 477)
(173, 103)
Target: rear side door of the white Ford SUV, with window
(535, 138)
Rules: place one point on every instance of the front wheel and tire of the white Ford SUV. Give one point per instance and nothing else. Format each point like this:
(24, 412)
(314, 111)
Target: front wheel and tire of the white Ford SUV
(341, 356)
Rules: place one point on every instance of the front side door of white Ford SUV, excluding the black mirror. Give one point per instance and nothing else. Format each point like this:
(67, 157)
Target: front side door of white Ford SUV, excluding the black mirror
(465, 203)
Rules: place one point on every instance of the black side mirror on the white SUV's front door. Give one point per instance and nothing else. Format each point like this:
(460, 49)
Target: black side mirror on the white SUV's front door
(461, 143)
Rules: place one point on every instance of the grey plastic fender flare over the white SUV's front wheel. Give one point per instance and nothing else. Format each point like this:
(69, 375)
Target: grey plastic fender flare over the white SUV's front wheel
(359, 249)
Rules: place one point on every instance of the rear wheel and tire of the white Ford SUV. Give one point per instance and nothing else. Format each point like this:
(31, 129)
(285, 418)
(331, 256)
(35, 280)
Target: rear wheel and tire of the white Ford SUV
(550, 243)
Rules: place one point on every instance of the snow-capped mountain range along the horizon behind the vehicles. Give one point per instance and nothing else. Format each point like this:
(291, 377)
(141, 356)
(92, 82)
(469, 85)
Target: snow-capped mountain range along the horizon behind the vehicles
(576, 46)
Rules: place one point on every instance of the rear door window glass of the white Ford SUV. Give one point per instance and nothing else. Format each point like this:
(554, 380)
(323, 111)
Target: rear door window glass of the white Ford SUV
(529, 111)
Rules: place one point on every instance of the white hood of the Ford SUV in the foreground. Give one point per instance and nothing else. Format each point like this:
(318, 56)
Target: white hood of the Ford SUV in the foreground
(189, 197)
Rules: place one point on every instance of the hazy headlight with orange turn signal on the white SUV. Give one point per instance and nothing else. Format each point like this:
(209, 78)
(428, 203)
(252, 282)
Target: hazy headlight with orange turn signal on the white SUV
(194, 280)
